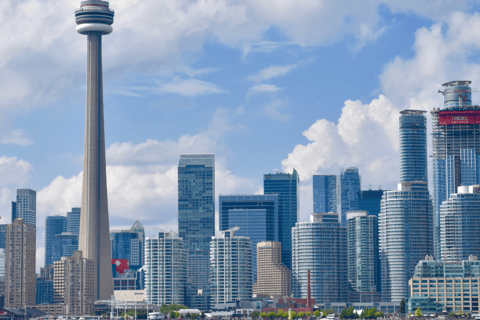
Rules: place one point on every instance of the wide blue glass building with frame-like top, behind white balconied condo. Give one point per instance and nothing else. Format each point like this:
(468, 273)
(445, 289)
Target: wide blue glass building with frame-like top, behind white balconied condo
(255, 215)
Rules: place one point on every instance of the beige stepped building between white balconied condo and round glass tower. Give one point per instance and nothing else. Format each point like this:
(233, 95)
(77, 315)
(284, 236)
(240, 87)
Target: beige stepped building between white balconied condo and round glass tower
(273, 277)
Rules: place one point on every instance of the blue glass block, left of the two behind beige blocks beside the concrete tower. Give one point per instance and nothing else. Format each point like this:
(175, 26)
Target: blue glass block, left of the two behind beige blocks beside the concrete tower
(53, 225)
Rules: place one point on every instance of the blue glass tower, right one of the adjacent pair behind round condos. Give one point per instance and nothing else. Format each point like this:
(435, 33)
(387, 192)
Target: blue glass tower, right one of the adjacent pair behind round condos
(350, 184)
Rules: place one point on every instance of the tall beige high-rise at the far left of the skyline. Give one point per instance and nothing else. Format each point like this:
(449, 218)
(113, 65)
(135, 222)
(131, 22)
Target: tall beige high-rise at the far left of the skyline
(20, 248)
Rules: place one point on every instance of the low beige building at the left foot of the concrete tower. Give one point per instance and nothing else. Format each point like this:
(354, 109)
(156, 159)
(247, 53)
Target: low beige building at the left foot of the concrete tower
(73, 284)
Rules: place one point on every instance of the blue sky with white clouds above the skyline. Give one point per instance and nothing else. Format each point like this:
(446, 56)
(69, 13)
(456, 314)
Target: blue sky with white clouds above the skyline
(314, 85)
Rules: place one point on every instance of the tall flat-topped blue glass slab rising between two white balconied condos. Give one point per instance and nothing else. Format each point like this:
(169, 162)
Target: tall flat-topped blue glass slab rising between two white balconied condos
(196, 222)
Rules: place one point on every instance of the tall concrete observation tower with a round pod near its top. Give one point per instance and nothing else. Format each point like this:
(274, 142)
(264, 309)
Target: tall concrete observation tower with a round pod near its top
(94, 19)
